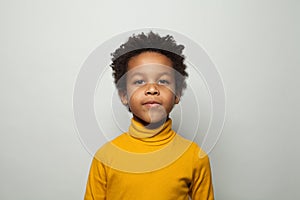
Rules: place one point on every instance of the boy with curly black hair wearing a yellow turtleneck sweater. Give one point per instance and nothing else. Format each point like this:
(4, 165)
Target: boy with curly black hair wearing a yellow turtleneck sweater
(150, 161)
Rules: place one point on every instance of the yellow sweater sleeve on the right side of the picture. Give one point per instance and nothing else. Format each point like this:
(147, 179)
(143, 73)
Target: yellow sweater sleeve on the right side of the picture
(201, 188)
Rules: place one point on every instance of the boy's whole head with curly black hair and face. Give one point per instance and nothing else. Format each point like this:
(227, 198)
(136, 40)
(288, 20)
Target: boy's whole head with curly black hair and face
(149, 73)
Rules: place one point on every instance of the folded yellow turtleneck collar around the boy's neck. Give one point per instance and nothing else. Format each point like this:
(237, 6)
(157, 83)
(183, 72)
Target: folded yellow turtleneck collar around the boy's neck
(158, 136)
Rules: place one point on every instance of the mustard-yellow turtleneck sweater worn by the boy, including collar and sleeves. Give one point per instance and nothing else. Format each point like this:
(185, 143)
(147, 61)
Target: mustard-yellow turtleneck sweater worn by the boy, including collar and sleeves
(149, 164)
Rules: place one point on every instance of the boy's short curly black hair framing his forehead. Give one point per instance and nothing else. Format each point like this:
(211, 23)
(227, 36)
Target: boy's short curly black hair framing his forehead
(151, 42)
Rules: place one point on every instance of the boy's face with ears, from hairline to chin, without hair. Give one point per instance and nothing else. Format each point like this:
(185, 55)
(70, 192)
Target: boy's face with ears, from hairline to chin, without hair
(150, 85)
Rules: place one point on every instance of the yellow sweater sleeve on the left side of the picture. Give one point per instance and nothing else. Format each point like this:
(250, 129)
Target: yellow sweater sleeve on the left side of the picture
(96, 184)
